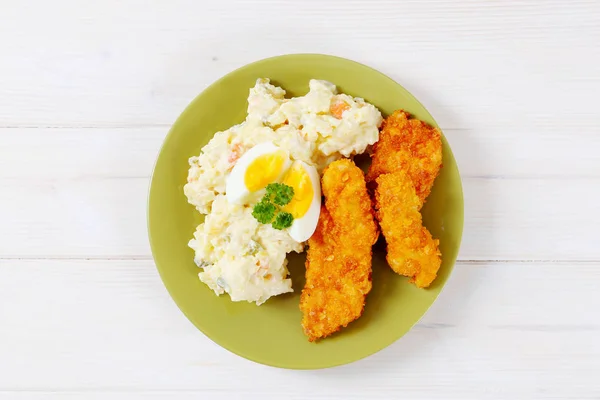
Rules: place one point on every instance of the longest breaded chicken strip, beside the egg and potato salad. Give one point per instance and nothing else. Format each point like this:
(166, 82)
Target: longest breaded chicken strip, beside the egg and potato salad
(338, 264)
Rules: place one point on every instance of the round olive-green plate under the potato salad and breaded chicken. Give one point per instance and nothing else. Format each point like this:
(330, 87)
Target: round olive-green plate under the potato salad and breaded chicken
(271, 333)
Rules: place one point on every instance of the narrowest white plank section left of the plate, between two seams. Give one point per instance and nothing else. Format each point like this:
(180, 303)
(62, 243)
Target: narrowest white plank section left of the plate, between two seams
(39, 155)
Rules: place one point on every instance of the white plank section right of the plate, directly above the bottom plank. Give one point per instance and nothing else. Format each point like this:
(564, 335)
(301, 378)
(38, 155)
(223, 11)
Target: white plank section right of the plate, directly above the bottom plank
(530, 220)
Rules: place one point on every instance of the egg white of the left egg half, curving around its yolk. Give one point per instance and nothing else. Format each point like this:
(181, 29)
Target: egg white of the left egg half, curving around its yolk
(235, 187)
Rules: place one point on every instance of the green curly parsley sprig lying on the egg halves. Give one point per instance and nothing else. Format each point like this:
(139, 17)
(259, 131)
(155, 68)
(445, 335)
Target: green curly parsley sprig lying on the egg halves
(269, 207)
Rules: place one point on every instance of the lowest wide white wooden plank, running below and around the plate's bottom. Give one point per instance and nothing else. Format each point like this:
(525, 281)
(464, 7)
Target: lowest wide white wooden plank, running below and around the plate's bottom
(109, 329)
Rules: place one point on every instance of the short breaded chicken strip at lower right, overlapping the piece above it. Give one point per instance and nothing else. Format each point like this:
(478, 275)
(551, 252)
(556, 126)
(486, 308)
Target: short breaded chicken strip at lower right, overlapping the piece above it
(411, 250)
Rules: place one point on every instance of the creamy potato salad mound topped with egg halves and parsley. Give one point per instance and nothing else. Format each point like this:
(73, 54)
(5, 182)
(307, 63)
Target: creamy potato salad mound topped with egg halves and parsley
(258, 184)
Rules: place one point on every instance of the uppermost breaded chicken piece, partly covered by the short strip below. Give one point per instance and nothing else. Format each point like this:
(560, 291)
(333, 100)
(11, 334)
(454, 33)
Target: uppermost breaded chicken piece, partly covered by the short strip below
(409, 145)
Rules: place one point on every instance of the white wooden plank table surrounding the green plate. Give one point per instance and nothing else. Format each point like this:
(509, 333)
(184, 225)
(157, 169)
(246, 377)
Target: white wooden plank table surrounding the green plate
(88, 91)
